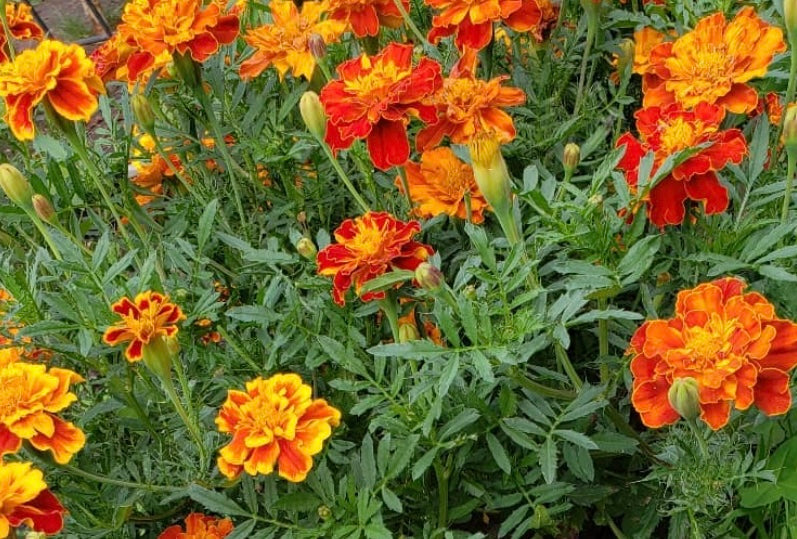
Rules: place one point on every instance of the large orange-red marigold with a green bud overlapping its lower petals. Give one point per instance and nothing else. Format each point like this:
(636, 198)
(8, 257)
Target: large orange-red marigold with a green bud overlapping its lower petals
(729, 341)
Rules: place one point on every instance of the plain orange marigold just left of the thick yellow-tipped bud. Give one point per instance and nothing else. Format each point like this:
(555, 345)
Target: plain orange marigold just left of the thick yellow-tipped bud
(440, 184)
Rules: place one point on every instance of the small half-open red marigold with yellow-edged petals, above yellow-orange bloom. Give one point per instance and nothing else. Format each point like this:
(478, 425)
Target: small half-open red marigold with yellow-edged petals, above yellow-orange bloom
(144, 319)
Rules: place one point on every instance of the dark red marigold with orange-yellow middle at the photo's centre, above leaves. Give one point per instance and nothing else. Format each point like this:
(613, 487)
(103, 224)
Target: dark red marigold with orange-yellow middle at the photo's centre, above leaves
(367, 247)
